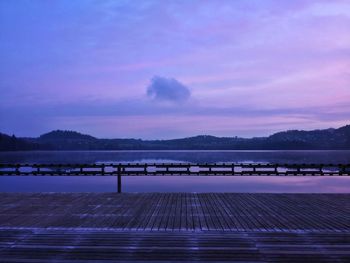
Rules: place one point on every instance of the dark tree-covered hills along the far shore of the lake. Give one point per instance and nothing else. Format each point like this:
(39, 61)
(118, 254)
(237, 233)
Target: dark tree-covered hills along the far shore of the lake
(327, 139)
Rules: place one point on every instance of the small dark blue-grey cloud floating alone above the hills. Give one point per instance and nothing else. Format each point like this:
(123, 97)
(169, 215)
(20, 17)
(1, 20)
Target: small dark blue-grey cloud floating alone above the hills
(167, 89)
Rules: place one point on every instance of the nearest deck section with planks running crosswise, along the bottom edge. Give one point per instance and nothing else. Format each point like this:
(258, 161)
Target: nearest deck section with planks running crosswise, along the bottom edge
(43, 245)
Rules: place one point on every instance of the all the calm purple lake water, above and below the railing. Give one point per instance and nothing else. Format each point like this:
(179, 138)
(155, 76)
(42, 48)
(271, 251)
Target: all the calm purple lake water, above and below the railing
(304, 184)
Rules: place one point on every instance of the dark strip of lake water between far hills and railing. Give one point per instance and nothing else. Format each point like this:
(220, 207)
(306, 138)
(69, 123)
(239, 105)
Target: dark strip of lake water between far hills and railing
(176, 156)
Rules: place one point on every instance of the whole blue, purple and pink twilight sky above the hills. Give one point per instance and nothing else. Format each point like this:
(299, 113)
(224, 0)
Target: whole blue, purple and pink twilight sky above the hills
(169, 69)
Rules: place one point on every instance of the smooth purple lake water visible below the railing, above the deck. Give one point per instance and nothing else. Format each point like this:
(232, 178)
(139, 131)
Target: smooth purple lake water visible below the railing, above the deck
(253, 184)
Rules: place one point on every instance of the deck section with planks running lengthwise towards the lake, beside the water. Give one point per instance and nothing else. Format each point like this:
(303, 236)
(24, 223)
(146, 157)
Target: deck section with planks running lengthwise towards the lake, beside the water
(178, 211)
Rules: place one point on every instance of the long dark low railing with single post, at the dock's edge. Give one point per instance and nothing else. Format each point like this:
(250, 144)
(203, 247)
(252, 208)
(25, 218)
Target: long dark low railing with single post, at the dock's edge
(174, 169)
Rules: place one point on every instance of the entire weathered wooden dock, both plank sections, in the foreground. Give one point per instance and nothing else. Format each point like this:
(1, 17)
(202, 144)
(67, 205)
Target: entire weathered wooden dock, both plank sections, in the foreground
(66, 227)
